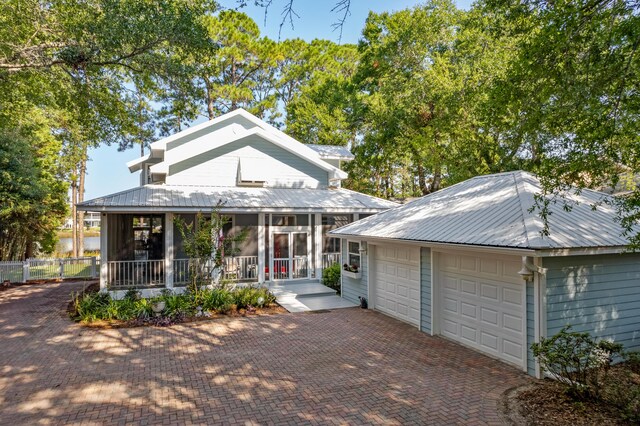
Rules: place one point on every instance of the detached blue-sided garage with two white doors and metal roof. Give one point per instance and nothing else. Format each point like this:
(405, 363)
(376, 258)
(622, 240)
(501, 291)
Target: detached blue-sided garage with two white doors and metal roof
(470, 263)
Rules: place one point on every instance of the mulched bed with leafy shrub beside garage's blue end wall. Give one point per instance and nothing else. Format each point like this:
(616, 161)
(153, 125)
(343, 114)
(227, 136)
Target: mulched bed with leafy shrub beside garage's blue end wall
(591, 389)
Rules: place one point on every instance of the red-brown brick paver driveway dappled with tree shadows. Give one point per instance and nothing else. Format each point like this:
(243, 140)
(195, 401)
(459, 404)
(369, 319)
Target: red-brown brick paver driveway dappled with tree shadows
(347, 366)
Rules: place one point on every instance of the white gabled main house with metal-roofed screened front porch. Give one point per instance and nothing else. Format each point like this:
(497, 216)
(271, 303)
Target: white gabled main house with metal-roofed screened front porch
(287, 194)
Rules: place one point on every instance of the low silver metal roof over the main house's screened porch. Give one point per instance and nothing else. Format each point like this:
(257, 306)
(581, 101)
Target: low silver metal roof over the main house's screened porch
(193, 198)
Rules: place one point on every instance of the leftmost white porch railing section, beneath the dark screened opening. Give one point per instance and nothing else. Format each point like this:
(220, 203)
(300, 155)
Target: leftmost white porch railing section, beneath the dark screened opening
(125, 274)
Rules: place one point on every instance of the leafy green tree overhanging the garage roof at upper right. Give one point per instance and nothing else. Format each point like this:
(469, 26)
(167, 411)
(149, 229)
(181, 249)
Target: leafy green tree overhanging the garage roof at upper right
(575, 88)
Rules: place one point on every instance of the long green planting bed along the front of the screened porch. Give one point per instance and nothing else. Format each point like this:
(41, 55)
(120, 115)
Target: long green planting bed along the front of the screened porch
(98, 310)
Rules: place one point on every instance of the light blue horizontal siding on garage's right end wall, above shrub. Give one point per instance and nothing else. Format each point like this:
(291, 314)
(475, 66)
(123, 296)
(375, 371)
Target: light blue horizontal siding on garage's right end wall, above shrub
(597, 294)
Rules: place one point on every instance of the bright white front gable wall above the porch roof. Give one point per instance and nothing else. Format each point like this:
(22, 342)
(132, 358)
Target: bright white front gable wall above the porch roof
(219, 166)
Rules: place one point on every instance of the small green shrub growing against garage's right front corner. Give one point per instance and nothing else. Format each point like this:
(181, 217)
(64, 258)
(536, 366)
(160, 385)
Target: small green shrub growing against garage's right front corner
(577, 360)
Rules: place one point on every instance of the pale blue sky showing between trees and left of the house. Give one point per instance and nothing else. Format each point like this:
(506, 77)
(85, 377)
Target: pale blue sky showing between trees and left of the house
(107, 172)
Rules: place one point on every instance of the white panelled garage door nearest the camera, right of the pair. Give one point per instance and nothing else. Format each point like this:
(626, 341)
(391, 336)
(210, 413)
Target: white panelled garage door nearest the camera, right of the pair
(482, 304)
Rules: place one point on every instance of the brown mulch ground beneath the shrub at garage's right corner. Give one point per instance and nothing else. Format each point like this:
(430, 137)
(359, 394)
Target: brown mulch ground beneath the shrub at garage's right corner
(546, 403)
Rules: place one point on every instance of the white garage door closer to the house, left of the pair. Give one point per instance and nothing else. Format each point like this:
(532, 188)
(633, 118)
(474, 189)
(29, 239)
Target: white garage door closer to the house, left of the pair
(396, 282)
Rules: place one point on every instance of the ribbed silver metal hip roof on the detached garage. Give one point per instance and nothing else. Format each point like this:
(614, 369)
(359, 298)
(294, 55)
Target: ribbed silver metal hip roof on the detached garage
(494, 210)
